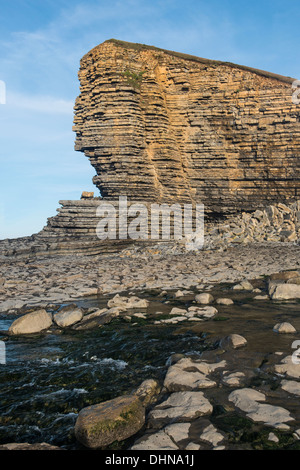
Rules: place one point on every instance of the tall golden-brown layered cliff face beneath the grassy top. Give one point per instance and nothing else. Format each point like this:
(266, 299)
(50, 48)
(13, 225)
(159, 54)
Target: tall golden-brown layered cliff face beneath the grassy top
(163, 126)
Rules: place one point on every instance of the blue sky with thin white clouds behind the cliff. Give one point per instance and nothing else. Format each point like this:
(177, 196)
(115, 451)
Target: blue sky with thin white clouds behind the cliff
(41, 43)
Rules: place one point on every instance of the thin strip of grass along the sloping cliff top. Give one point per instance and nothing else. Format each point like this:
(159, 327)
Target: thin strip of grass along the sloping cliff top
(141, 47)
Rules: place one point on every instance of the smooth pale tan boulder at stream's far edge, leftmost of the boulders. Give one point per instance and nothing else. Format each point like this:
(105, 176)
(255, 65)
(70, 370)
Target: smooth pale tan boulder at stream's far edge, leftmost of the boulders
(30, 323)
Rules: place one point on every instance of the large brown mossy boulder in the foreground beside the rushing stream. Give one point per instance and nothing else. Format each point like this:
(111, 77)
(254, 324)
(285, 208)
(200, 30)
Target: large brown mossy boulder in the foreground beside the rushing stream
(99, 425)
